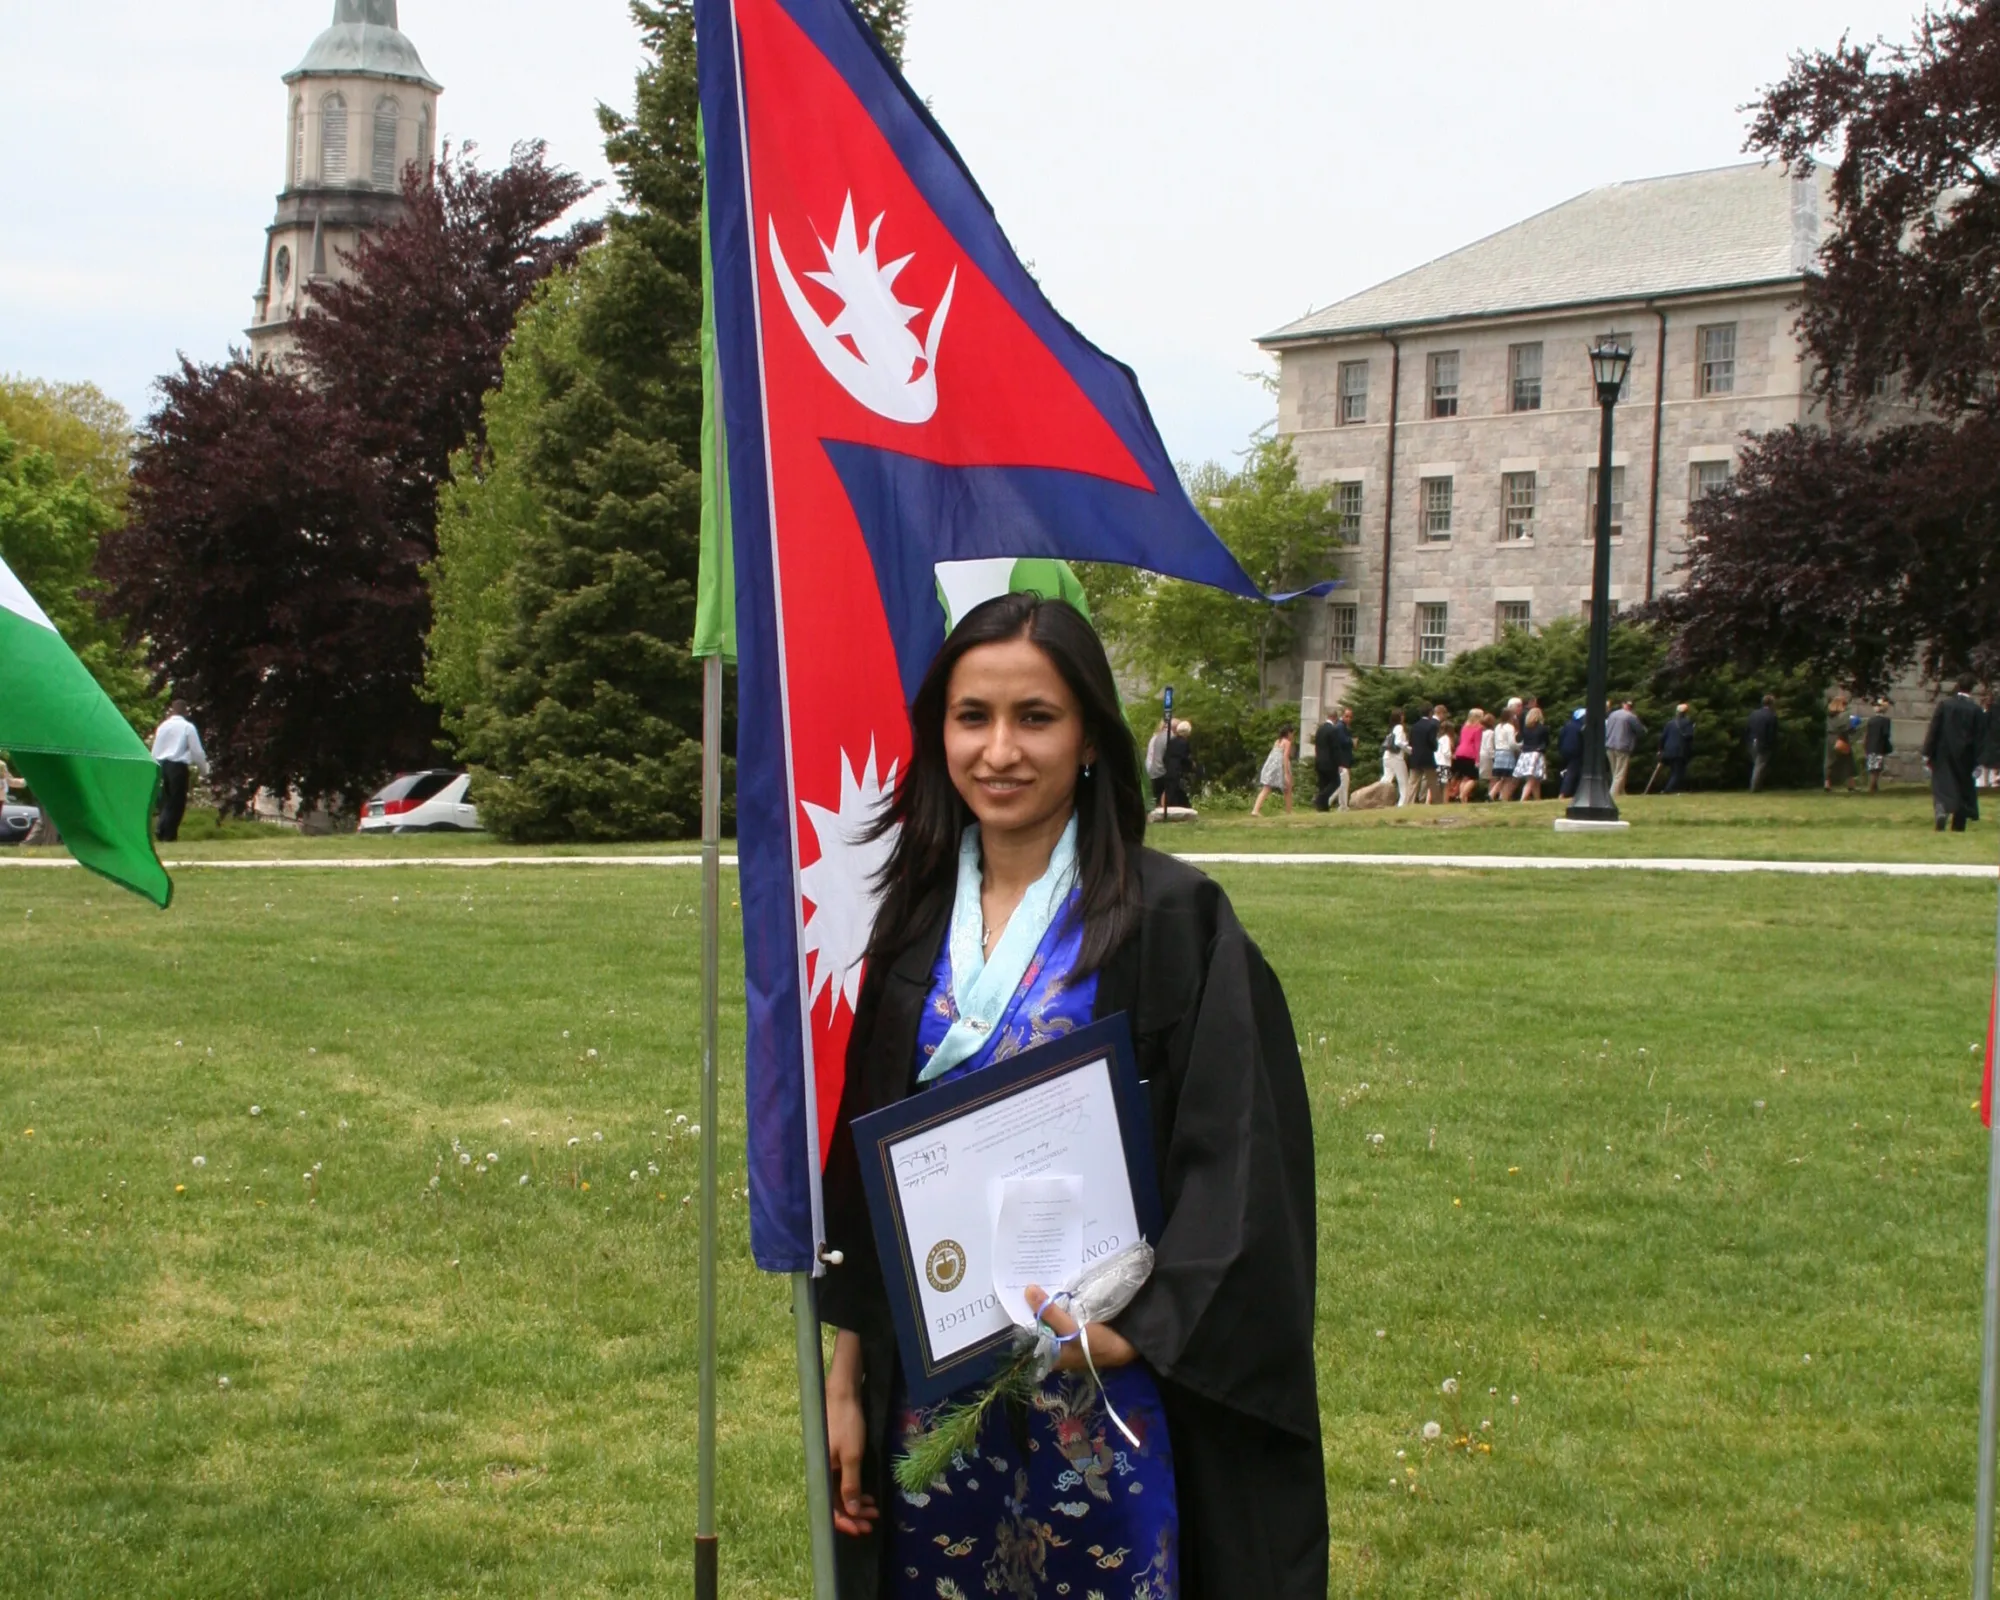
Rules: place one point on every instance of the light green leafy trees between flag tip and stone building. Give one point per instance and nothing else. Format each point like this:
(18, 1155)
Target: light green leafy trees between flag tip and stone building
(1217, 649)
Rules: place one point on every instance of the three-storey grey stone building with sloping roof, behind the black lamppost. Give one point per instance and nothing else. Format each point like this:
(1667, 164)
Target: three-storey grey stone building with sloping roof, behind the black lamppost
(1453, 409)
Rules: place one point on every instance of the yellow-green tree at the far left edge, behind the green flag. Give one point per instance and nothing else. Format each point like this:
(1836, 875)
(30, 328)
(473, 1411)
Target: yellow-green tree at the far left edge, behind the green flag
(51, 523)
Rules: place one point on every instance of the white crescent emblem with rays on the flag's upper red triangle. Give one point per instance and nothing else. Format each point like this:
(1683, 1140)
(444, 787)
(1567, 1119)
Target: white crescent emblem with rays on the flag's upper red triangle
(893, 375)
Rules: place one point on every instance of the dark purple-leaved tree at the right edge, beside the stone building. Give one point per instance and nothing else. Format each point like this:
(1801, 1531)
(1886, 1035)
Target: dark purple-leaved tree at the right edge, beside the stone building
(1855, 551)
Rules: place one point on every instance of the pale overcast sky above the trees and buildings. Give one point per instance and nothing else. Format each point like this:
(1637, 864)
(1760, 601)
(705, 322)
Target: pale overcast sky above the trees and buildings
(1183, 177)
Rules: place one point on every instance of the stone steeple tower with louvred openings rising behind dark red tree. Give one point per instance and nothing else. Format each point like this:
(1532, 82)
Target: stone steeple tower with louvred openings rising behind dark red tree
(359, 111)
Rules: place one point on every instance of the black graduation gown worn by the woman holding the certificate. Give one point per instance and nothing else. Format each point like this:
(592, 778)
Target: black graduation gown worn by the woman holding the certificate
(1227, 1317)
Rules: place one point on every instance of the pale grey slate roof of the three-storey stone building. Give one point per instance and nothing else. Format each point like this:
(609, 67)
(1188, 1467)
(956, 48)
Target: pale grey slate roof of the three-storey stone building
(1731, 227)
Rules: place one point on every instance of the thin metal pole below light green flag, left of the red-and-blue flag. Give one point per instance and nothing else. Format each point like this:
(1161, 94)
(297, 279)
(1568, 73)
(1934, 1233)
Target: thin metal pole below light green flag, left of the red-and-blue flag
(705, 1429)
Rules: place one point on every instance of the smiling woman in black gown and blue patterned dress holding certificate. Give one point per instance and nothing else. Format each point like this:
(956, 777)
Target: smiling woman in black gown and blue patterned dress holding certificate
(1017, 831)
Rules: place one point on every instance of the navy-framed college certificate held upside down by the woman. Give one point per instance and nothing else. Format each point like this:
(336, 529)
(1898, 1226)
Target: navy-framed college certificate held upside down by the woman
(1077, 1109)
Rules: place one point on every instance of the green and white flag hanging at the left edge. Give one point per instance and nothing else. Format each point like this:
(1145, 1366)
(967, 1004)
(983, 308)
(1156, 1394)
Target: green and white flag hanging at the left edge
(91, 773)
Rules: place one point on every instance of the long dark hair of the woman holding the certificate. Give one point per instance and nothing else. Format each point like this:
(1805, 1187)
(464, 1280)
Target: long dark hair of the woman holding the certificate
(921, 875)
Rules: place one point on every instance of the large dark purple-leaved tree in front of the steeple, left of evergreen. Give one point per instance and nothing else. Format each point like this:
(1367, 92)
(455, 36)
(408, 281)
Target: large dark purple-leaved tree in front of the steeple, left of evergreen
(281, 519)
